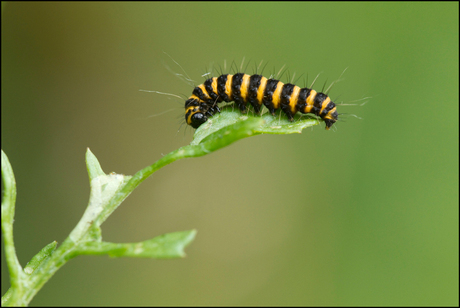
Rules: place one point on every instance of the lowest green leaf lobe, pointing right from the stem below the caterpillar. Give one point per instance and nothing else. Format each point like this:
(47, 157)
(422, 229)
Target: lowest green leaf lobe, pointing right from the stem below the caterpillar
(166, 246)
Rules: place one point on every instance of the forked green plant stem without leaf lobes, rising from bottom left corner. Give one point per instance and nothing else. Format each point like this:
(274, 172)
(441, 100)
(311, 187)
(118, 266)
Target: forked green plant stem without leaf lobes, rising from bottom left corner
(21, 296)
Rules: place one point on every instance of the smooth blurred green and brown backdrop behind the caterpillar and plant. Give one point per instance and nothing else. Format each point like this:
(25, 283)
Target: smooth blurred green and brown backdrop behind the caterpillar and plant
(366, 214)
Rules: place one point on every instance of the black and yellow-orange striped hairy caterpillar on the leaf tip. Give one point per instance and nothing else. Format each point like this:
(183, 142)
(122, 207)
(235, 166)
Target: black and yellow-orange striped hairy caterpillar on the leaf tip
(257, 91)
